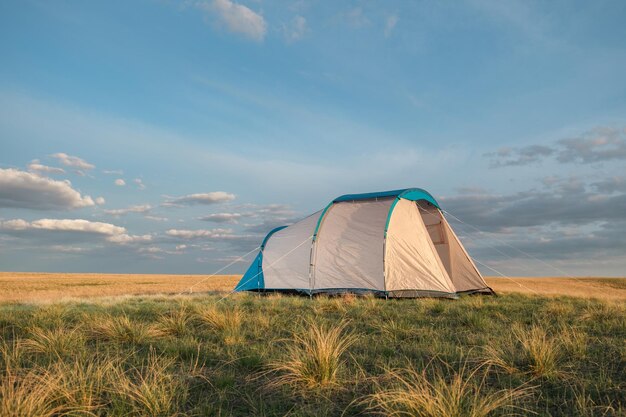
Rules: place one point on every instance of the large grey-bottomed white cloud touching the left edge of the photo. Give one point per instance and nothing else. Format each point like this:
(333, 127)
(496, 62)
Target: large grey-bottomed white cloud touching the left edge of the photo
(21, 189)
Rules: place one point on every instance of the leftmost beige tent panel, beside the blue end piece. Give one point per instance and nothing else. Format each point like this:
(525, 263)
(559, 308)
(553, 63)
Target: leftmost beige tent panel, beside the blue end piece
(290, 271)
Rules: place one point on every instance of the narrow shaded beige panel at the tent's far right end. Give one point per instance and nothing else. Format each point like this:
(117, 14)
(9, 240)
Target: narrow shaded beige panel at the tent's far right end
(465, 275)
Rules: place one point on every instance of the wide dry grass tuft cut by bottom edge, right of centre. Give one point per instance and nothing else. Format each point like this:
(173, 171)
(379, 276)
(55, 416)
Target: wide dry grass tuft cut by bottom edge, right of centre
(437, 392)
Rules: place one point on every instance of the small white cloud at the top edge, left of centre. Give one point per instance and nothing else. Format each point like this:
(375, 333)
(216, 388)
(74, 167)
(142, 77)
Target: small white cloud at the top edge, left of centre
(237, 18)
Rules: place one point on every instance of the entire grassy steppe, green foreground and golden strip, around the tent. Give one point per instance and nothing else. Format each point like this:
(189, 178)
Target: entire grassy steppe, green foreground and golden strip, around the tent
(147, 345)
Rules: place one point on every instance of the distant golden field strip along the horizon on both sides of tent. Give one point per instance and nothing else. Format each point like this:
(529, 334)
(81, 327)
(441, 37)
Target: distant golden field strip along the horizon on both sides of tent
(47, 287)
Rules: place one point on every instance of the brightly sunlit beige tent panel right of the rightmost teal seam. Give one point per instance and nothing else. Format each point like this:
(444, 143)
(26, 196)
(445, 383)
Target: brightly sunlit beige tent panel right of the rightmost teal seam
(411, 260)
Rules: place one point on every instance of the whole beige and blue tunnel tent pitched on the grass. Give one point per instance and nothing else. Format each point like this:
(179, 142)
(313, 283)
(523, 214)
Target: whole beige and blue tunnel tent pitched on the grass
(392, 243)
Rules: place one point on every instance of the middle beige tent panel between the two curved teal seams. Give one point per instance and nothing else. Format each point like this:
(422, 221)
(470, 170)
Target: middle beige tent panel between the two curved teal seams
(348, 252)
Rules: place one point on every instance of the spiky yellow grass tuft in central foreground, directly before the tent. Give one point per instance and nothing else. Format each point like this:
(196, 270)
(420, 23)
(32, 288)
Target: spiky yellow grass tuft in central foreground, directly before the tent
(313, 359)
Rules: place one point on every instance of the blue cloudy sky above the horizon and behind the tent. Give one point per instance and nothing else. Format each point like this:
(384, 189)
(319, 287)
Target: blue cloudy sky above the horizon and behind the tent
(163, 136)
